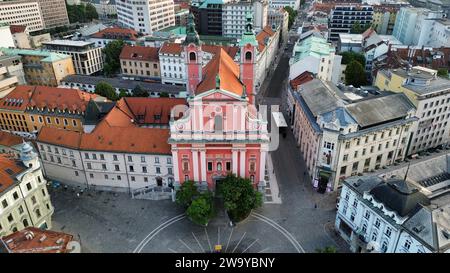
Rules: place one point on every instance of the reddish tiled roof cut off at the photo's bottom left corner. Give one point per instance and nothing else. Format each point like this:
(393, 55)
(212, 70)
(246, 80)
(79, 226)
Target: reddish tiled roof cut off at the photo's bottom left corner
(35, 240)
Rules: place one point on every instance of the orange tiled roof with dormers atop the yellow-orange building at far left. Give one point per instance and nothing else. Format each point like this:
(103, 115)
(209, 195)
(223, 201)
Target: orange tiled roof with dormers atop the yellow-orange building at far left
(24, 96)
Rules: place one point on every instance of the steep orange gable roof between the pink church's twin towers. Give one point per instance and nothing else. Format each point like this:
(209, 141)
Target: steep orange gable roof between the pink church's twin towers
(227, 70)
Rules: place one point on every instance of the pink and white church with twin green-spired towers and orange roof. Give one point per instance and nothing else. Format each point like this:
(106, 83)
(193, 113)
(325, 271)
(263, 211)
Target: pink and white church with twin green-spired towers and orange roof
(221, 131)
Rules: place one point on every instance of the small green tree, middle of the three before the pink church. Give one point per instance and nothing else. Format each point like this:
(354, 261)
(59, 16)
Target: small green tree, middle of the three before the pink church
(201, 209)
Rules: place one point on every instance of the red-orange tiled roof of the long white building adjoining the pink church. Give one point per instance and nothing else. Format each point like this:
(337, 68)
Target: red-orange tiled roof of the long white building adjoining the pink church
(119, 131)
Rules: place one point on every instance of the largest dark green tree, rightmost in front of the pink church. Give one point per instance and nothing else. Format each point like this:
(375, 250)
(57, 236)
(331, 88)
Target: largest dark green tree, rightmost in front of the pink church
(239, 197)
